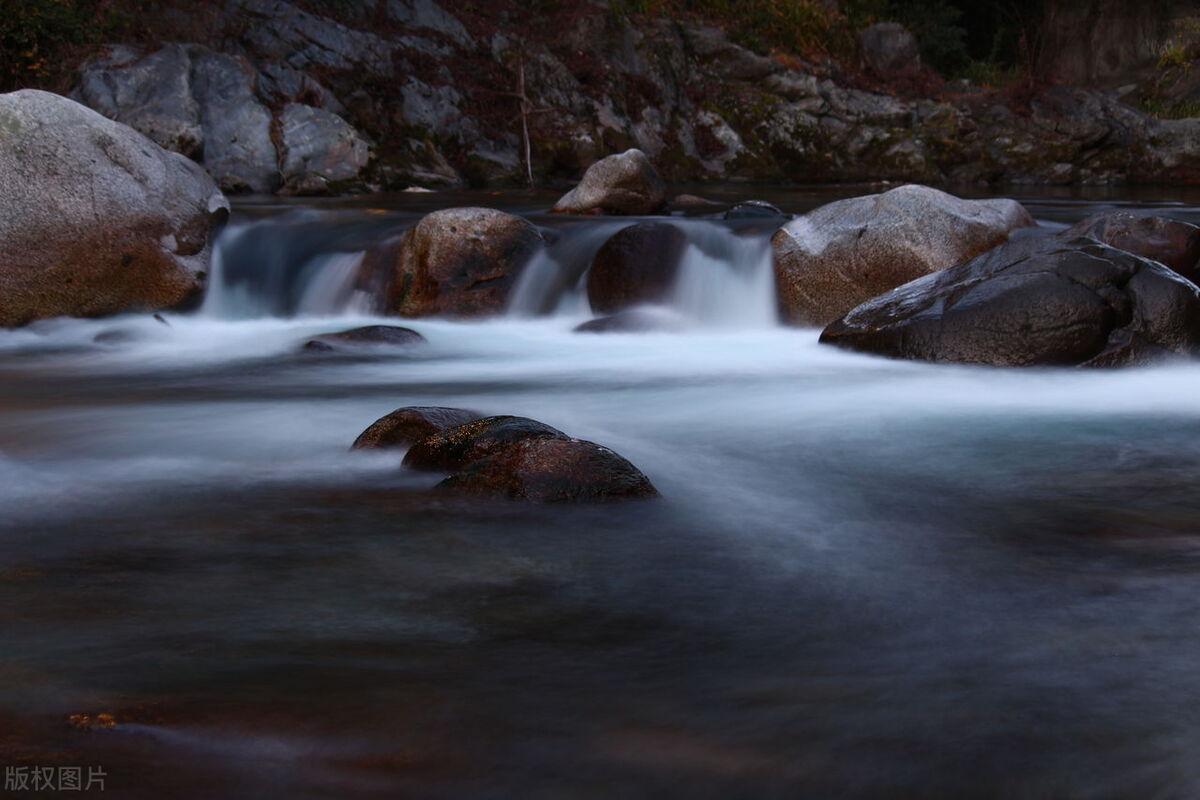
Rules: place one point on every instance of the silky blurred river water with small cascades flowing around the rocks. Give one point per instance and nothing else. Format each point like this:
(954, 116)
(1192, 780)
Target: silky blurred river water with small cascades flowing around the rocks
(866, 578)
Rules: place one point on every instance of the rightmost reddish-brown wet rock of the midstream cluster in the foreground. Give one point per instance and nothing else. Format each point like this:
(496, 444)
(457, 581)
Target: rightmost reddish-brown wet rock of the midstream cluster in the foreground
(553, 471)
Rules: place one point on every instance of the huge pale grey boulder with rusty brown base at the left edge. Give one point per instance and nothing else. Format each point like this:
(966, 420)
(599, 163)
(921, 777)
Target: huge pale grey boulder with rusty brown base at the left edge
(97, 219)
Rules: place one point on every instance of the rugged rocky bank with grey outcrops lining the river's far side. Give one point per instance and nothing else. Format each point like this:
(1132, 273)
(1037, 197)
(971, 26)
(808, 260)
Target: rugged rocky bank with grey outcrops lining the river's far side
(383, 97)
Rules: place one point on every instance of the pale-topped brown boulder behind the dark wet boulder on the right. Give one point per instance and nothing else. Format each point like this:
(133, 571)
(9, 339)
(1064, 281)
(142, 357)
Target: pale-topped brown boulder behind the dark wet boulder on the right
(833, 258)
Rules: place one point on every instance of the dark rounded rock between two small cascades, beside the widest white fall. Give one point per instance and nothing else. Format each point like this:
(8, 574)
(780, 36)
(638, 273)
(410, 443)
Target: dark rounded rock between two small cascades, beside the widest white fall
(638, 266)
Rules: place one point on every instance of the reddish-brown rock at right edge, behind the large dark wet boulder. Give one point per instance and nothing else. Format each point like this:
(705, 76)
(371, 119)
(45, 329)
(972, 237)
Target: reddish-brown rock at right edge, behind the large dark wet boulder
(1161, 239)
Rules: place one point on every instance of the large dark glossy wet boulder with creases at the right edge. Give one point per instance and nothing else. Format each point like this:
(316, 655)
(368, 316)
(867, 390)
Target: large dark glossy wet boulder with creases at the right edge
(1033, 302)
